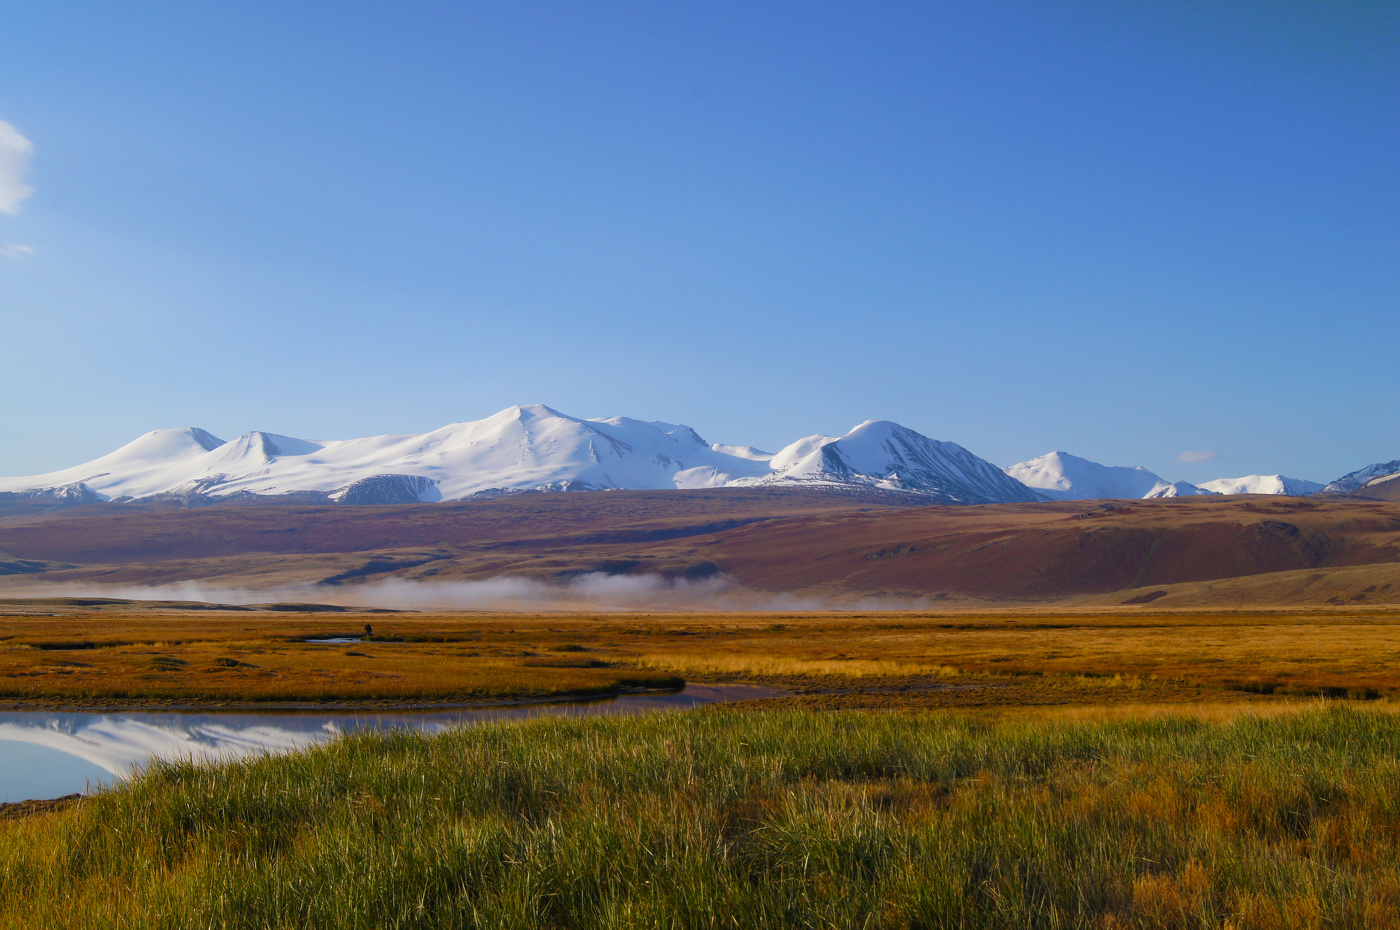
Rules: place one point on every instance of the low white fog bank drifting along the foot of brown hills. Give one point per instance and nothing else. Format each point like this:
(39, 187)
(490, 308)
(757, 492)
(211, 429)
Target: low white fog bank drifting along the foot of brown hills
(596, 592)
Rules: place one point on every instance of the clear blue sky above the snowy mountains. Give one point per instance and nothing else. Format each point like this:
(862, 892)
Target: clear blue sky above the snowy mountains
(1146, 235)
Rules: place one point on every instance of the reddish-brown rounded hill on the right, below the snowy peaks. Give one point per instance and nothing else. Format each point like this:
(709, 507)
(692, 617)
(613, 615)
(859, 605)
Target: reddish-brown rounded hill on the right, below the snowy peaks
(1035, 551)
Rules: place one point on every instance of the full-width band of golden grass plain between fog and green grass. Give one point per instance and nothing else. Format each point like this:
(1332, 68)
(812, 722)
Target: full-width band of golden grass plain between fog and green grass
(1006, 658)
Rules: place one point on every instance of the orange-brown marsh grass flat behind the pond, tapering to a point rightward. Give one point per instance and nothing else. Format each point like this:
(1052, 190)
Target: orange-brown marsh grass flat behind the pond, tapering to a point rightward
(208, 659)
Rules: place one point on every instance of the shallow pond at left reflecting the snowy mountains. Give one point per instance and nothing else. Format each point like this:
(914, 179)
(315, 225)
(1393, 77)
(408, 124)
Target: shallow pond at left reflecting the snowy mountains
(50, 754)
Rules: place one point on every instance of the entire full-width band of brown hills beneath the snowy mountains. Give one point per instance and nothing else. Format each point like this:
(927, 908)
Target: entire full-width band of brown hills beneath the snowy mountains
(1184, 551)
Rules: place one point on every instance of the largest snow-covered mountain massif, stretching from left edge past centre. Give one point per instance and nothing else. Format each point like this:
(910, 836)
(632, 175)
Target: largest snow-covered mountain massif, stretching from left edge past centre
(520, 449)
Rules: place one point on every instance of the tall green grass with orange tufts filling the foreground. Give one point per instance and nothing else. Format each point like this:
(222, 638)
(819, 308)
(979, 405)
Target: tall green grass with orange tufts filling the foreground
(724, 819)
